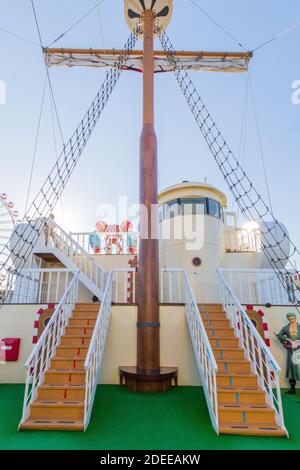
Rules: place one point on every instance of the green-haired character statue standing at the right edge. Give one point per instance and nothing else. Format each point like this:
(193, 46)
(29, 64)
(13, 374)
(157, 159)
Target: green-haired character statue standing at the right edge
(289, 336)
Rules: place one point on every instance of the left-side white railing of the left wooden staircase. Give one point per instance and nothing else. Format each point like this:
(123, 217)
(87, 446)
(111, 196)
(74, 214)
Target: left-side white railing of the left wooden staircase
(39, 360)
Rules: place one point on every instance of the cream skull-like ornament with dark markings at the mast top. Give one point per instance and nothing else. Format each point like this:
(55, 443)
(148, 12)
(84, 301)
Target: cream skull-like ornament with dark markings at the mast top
(162, 9)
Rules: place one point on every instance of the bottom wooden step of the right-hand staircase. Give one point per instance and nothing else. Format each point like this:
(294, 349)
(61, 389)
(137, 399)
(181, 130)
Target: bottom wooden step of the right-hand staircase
(258, 429)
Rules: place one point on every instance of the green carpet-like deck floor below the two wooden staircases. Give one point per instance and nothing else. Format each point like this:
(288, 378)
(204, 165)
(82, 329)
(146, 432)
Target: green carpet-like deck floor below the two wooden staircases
(177, 420)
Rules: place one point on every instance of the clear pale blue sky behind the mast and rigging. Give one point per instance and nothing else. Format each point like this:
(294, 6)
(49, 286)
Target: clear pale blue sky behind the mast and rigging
(109, 166)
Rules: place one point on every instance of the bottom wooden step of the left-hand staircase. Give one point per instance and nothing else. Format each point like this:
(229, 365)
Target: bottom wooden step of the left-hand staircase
(48, 424)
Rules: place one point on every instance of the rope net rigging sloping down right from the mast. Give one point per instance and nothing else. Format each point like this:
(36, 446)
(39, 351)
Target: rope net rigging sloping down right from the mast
(273, 237)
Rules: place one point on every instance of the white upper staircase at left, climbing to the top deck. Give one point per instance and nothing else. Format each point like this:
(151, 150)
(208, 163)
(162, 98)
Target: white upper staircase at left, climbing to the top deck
(65, 249)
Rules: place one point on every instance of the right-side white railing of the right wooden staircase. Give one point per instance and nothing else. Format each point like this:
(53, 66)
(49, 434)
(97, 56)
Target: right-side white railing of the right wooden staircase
(263, 364)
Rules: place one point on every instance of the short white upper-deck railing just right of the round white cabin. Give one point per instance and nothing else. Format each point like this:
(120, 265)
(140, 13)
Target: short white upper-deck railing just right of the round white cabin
(239, 240)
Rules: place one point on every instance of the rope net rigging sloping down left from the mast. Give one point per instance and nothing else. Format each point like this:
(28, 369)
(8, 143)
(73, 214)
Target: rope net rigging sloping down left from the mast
(17, 250)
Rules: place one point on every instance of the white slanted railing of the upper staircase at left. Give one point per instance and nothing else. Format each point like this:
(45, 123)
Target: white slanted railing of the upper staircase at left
(78, 255)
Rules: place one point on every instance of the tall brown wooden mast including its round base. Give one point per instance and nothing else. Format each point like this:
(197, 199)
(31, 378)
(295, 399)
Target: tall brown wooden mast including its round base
(148, 376)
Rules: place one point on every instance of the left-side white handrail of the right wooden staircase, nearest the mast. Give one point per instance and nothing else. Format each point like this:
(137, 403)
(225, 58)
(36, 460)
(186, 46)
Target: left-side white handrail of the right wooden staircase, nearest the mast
(206, 362)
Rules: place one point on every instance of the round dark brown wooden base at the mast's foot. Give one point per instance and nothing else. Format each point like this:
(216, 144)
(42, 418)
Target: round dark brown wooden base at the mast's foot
(160, 381)
